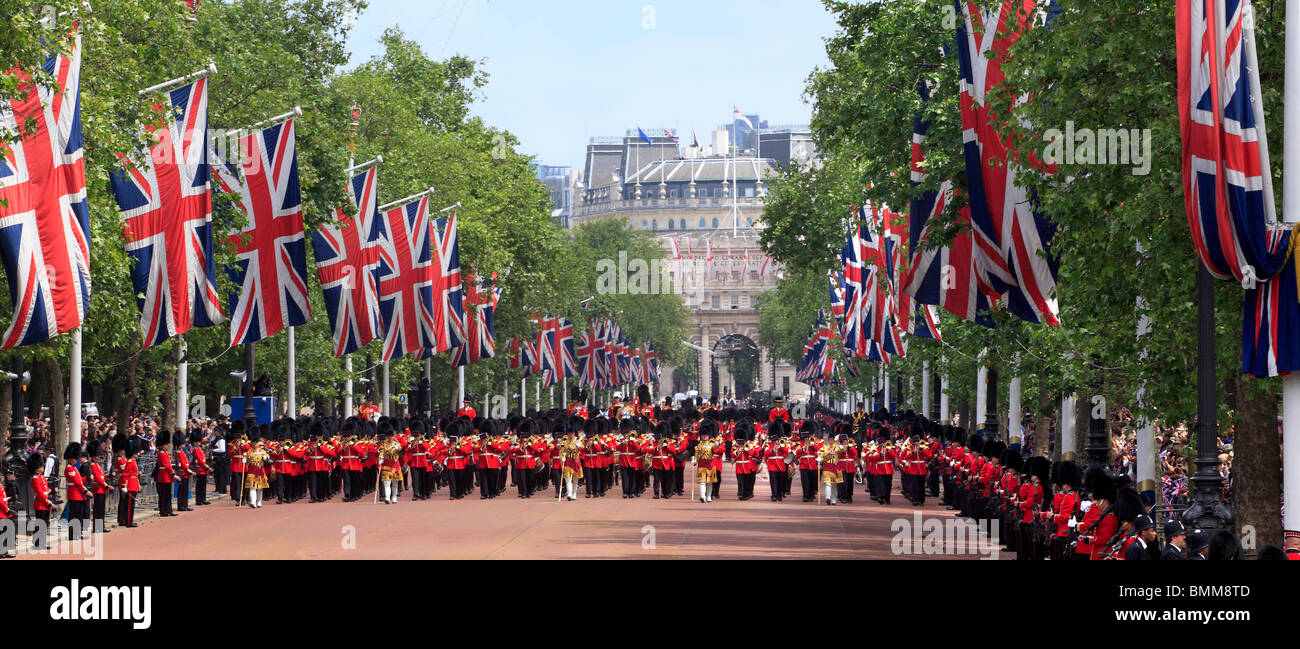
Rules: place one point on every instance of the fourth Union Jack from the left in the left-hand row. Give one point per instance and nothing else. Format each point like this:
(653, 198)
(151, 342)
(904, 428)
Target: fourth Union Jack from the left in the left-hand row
(348, 258)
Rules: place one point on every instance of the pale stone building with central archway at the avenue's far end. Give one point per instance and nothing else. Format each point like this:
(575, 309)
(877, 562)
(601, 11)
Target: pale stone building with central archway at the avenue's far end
(701, 198)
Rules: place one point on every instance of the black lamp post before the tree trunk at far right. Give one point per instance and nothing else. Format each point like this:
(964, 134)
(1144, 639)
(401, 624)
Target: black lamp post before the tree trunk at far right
(1208, 510)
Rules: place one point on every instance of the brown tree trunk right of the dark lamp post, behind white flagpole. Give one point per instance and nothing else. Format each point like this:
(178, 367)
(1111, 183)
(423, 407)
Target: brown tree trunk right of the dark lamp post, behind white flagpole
(1256, 464)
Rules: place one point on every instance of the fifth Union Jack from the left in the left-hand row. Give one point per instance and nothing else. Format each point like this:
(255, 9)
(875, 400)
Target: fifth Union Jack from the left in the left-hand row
(406, 280)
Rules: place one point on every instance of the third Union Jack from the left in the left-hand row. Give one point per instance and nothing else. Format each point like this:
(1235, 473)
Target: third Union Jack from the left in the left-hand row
(271, 250)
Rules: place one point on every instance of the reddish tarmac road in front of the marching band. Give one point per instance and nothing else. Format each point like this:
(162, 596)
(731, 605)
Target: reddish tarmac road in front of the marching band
(540, 529)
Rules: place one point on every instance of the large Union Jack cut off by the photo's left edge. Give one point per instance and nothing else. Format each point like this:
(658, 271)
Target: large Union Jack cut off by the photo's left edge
(45, 219)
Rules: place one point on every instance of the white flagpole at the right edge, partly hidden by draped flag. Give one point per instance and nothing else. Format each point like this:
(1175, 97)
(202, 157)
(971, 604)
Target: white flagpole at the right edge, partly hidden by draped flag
(1292, 213)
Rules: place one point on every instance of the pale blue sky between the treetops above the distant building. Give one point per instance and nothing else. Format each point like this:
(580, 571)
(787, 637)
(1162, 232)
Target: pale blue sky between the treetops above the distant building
(562, 72)
